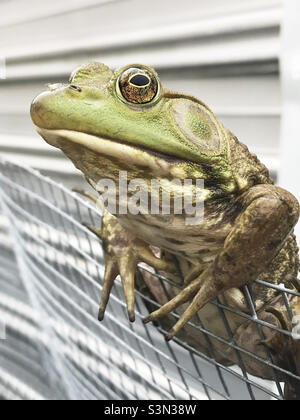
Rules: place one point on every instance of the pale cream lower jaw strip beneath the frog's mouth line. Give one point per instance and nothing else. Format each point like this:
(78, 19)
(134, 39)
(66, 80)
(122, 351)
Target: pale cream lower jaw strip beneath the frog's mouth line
(105, 147)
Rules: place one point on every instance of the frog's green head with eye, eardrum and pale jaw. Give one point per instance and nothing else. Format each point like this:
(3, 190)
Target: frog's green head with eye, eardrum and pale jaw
(107, 121)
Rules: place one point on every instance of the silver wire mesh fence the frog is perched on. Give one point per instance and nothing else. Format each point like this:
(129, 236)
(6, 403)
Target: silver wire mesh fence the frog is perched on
(55, 348)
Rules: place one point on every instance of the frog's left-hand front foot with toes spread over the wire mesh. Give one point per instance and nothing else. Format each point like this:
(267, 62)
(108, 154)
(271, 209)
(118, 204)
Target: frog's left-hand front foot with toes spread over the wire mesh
(123, 253)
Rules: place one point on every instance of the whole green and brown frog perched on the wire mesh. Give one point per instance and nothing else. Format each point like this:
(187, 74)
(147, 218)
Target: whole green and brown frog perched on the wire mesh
(127, 121)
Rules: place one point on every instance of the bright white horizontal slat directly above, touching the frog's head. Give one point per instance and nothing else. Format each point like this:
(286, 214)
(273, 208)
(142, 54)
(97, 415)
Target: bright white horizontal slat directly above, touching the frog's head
(162, 57)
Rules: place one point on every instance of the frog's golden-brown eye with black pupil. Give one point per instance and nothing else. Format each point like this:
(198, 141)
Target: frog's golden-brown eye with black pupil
(138, 86)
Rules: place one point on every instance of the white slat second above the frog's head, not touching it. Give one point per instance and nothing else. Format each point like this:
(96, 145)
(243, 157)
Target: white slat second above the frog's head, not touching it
(194, 29)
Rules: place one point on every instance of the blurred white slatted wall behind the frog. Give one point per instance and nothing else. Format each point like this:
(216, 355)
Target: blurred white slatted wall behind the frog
(240, 57)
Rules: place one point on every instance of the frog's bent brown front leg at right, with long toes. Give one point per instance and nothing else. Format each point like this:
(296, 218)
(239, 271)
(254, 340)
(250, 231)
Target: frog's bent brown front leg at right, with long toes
(268, 217)
